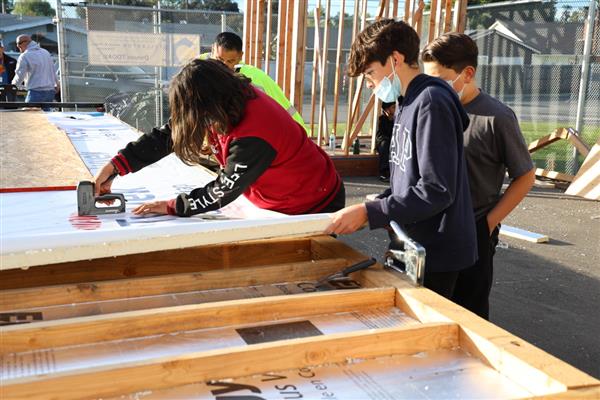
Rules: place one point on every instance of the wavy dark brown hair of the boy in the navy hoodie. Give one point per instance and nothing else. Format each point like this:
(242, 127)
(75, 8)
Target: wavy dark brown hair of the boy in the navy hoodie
(377, 42)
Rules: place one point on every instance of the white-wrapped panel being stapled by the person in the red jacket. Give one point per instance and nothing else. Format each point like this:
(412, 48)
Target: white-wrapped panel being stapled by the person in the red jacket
(44, 227)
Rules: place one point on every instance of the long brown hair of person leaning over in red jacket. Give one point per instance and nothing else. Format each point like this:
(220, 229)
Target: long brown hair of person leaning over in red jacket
(205, 95)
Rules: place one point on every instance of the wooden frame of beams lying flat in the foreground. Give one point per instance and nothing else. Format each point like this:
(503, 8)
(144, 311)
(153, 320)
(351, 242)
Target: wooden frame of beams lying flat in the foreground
(440, 325)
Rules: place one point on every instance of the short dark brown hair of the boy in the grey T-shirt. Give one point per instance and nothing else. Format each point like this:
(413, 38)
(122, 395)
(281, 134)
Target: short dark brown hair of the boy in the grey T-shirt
(452, 50)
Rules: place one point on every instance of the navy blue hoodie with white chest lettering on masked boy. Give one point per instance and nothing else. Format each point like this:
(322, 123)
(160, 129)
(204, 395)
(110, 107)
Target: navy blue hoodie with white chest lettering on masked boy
(429, 191)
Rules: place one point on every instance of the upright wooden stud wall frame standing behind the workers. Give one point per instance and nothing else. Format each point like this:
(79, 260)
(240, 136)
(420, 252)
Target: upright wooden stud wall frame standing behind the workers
(292, 23)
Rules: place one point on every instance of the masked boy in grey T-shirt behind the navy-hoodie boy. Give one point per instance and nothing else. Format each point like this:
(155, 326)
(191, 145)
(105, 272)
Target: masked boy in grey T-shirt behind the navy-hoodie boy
(494, 145)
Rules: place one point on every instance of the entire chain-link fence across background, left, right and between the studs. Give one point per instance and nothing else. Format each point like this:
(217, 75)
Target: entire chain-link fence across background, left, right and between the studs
(531, 58)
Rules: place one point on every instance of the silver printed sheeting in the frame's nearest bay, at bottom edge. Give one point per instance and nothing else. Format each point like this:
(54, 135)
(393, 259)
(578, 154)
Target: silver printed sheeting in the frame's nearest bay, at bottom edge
(434, 375)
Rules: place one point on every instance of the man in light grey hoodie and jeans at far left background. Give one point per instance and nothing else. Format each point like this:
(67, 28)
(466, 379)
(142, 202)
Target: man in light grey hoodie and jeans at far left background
(36, 69)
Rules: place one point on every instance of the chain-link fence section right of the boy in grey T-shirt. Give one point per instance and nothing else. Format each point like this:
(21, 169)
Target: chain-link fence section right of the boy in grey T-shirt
(531, 58)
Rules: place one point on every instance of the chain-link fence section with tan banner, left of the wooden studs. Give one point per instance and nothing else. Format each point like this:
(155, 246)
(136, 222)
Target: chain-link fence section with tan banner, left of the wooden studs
(125, 56)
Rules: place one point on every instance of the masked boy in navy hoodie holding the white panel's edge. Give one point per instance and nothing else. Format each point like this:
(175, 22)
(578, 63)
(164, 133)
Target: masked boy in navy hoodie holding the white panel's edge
(429, 193)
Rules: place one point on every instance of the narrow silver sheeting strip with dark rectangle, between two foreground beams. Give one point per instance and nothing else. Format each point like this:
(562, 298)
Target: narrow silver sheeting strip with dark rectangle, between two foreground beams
(19, 365)
